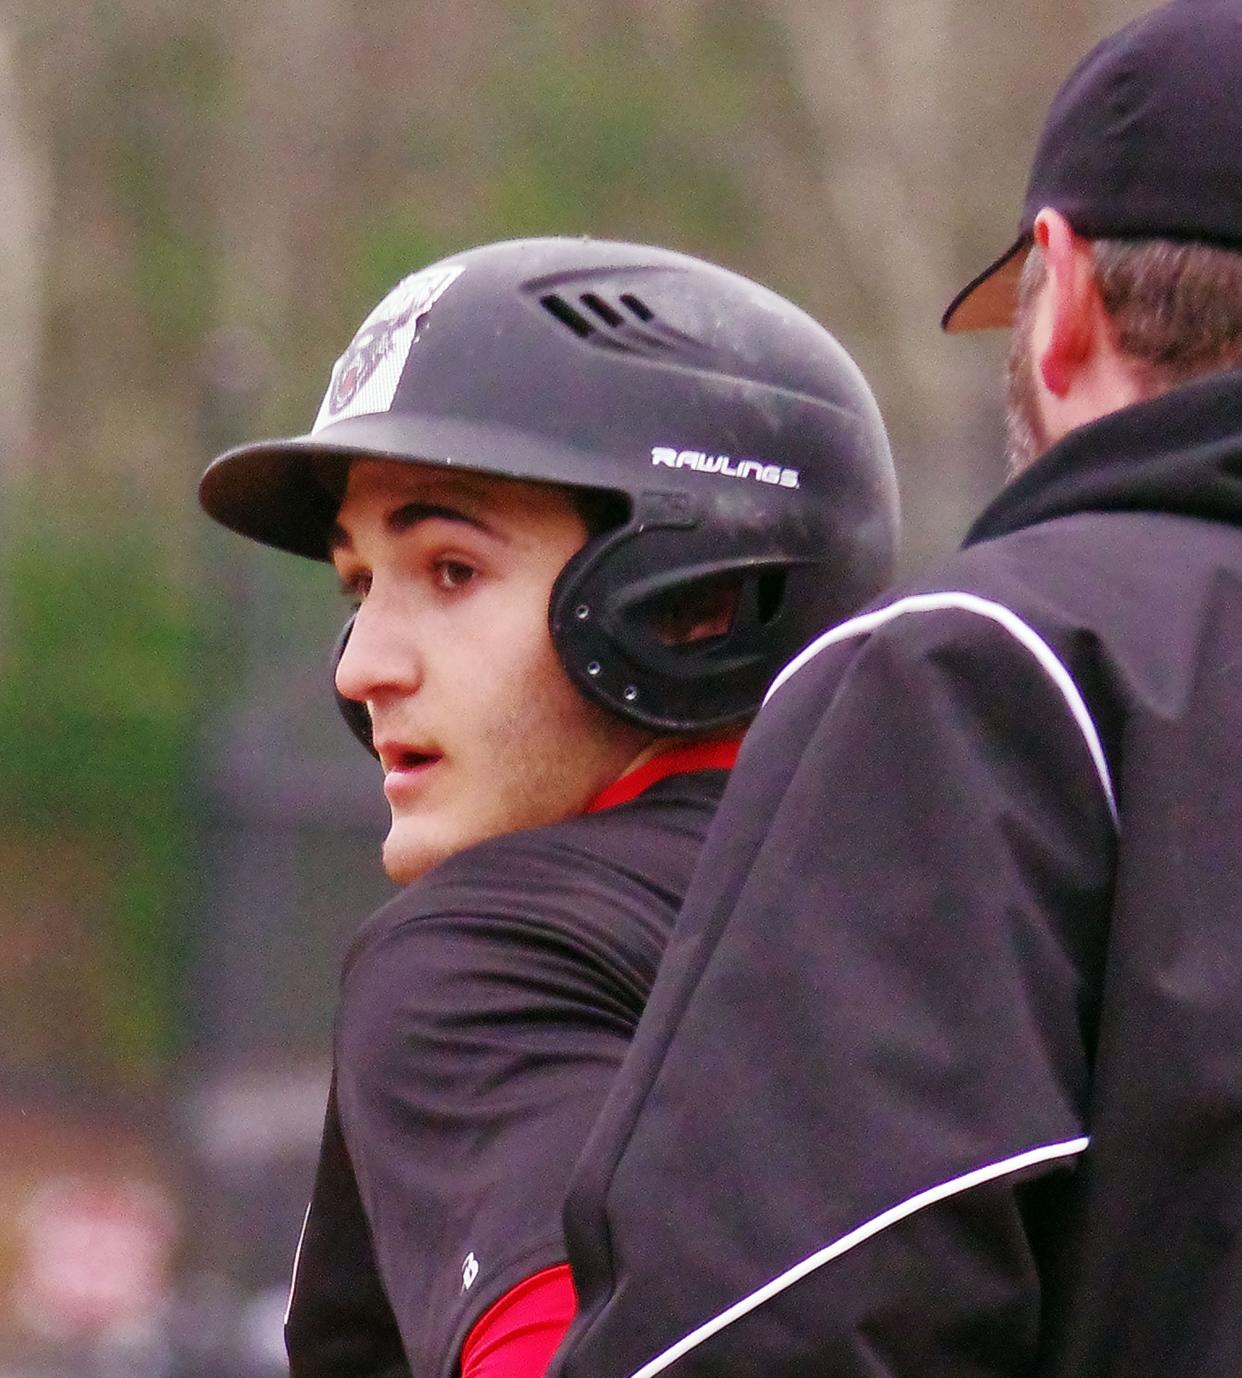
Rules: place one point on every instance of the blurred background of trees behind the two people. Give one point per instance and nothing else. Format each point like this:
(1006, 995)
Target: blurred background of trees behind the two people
(199, 203)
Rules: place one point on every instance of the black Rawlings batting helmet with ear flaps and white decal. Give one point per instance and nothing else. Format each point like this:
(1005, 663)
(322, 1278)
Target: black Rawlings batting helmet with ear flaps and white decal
(740, 436)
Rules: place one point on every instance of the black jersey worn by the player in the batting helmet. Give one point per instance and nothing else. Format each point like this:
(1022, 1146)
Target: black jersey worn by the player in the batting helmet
(483, 1016)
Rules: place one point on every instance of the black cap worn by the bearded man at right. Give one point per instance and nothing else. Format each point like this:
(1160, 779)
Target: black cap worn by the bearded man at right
(1143, 141)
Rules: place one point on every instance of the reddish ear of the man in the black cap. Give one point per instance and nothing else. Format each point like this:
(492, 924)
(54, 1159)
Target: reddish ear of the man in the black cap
(1073, 301)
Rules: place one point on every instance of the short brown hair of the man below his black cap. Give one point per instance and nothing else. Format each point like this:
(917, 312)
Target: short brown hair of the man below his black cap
(1177, 307)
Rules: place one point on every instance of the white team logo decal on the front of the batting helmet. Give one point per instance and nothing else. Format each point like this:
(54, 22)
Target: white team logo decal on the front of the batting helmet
(367, 374)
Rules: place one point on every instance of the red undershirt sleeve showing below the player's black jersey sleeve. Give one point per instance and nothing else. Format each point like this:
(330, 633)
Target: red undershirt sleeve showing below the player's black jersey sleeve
(519, 1335)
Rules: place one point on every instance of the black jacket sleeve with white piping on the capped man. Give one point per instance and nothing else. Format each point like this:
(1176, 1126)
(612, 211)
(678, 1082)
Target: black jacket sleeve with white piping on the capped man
(866, 1089)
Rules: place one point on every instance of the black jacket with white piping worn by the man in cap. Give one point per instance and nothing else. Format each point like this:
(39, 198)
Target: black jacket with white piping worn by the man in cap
(942, 1077)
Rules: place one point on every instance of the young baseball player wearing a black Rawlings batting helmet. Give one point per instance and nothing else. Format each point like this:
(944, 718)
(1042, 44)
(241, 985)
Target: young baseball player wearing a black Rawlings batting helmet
(587, 498)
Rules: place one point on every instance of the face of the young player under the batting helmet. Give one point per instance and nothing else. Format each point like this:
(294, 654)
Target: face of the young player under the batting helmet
(478, 726)
